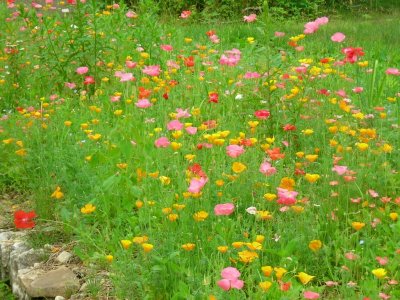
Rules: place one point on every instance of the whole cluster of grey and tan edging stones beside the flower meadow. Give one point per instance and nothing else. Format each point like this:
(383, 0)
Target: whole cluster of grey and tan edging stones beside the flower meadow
(23, 267)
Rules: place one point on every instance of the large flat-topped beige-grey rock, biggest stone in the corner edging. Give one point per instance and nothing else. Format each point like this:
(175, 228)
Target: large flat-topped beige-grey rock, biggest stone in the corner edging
(59, 282)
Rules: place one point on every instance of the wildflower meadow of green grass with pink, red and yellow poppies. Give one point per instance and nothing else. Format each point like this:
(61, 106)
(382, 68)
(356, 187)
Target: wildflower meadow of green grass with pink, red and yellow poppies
(193, 161)
